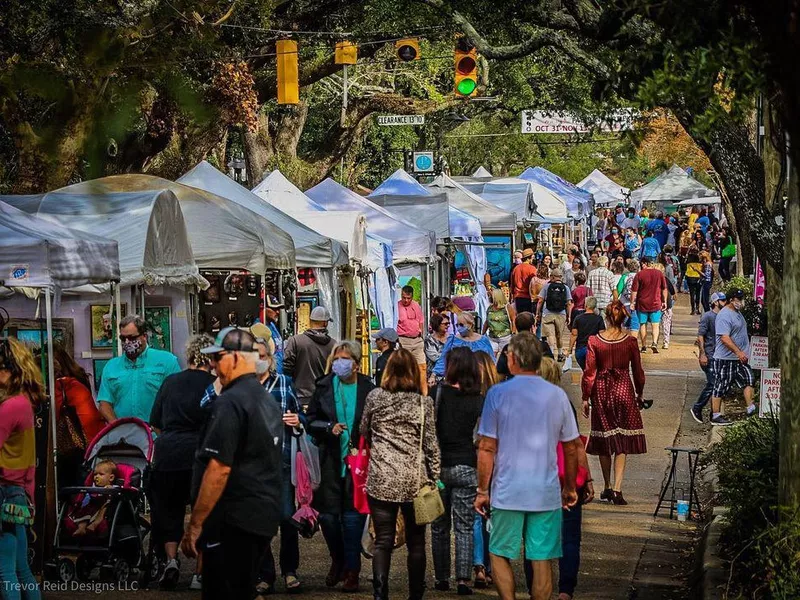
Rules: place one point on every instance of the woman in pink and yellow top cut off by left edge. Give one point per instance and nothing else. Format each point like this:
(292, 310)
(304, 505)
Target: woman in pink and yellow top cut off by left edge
(21, 391)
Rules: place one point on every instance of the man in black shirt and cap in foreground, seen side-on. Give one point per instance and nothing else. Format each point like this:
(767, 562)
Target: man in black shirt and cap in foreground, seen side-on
(237, 507)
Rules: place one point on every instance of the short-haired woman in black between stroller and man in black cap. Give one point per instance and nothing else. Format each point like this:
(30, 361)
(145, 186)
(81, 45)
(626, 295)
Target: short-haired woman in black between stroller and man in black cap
(177, 417)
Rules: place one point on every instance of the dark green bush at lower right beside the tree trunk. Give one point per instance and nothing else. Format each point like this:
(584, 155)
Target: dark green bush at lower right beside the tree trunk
(762, 542)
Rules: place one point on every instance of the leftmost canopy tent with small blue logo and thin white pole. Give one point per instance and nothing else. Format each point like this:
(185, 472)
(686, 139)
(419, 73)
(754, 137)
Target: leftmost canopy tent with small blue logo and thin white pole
(36, 253)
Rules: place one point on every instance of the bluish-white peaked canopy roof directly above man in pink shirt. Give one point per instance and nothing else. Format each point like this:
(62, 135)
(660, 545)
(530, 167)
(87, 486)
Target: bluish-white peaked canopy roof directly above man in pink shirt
(409, 242)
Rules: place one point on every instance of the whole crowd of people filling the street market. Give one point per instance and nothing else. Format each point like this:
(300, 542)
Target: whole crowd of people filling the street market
(441, 398)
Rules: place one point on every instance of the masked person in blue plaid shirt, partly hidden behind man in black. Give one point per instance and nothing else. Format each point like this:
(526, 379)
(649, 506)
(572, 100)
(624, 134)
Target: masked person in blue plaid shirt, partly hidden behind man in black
(282, 391)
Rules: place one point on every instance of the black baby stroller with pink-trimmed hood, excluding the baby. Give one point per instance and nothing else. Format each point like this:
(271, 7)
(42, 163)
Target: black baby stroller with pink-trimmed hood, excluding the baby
(119, 551)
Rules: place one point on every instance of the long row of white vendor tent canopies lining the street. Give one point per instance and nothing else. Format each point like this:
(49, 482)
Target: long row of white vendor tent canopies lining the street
(140, 229)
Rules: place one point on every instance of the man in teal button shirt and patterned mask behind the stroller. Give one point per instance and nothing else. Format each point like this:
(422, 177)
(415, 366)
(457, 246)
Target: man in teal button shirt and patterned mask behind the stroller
(130, 382)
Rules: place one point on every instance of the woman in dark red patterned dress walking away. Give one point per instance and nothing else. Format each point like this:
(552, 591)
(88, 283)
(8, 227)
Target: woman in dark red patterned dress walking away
(616, 401)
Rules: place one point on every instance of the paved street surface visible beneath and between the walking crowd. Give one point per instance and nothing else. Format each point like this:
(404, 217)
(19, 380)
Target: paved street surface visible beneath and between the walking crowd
(626, 553)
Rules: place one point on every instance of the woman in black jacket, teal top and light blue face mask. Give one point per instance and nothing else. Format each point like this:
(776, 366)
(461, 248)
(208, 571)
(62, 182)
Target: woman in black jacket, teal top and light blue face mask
(334, 417)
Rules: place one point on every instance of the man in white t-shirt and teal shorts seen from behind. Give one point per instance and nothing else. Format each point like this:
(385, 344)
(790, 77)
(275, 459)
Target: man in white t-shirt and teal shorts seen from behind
(522, 422)
